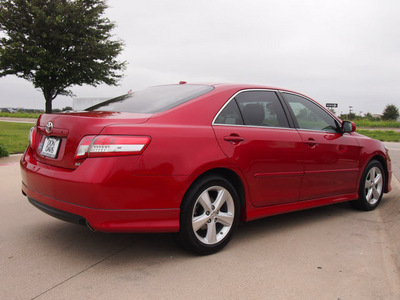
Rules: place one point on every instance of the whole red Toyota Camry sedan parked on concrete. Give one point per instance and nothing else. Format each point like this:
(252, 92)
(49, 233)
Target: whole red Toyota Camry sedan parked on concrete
(195, 159)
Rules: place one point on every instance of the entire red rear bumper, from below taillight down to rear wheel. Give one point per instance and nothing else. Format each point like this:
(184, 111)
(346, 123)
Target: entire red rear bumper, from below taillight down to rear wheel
(106, 194)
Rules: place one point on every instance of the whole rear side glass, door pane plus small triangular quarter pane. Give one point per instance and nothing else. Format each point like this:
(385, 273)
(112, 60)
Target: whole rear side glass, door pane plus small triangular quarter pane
(254, 108)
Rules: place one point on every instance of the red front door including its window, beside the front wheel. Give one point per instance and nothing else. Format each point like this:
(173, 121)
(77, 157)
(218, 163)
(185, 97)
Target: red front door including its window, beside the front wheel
(331, 158)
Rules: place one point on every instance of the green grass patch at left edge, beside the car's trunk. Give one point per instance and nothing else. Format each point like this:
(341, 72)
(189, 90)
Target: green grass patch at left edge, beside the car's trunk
(14, 136)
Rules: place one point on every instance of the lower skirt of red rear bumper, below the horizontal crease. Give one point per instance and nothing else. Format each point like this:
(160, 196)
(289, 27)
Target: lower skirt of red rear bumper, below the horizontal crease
(107, 220)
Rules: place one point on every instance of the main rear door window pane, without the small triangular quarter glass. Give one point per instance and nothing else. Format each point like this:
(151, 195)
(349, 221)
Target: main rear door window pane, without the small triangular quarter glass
(261, 108)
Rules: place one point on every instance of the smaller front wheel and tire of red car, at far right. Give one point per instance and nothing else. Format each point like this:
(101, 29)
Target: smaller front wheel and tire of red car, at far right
(371, 189)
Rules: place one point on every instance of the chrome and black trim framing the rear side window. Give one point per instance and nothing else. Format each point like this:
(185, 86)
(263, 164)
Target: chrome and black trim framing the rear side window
(281, 101)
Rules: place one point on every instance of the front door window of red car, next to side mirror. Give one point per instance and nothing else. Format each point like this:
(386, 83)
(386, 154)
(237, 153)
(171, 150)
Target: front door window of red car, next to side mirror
(309, 115)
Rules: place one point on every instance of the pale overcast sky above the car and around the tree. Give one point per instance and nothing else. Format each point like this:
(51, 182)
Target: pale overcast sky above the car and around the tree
(345, 52)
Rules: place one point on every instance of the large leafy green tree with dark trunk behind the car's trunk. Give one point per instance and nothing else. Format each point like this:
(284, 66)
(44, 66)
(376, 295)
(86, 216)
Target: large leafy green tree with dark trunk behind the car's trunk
(58, 44)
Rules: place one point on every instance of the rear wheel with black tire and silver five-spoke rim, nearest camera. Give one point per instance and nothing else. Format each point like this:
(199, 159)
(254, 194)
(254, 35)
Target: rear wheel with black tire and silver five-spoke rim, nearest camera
(207, 224)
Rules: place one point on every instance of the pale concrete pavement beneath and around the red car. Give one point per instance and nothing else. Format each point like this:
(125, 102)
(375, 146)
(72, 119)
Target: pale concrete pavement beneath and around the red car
(332, 252)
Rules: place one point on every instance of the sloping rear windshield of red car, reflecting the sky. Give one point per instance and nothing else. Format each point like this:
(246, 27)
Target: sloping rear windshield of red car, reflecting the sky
(154, 99)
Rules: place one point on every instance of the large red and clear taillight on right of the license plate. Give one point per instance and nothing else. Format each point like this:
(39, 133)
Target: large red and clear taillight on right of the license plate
(111, 145)
